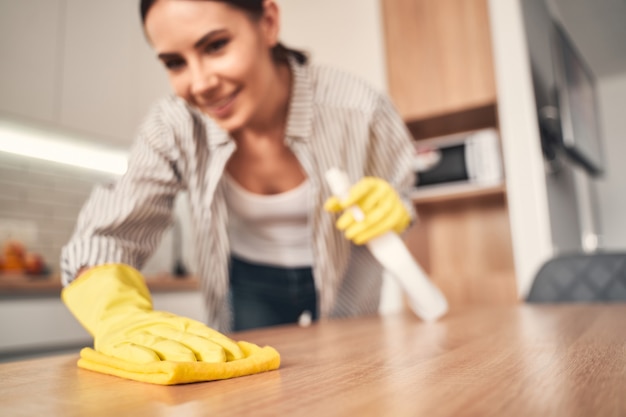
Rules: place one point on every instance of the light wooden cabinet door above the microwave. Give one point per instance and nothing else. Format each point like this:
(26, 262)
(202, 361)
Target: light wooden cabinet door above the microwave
(439, 57)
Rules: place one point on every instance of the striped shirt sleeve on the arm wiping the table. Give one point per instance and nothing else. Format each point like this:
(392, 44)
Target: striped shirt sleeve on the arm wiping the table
(123, 222)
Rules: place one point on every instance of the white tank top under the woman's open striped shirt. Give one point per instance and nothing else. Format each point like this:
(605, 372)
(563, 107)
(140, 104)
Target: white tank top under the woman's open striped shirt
(270, 229)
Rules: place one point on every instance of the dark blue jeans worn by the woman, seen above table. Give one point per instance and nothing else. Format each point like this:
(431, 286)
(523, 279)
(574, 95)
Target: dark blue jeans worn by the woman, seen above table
(265, 295)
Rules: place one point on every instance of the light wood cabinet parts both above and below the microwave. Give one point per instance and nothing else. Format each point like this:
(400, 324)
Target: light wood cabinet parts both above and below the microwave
(441, 78)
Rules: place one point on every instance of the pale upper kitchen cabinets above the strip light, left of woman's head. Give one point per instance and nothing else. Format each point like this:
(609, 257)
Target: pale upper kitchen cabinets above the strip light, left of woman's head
(76, 65)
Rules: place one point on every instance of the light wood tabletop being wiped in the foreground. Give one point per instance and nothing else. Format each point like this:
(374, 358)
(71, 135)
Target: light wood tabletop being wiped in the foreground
(526, 360)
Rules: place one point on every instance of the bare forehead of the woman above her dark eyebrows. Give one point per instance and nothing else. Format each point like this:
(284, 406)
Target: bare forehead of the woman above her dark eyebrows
(171, 24)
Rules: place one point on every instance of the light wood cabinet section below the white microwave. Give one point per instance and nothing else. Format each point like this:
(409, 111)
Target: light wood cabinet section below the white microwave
(465, 246)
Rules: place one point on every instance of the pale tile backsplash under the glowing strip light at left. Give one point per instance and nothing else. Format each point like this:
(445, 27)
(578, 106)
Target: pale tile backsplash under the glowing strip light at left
(40, 202)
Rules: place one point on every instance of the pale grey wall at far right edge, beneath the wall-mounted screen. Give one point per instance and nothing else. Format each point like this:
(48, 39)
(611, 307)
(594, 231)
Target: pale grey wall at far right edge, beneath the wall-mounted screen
(612, 189)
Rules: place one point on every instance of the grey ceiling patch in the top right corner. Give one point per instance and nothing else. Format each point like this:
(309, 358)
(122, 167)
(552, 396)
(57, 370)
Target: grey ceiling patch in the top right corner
(598, 28)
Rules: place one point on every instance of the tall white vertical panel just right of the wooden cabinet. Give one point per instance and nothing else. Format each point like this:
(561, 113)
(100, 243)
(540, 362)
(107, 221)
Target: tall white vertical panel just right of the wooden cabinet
(525, 178)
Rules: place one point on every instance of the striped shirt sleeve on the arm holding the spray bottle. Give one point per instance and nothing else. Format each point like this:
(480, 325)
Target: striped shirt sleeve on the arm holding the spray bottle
(393, 151)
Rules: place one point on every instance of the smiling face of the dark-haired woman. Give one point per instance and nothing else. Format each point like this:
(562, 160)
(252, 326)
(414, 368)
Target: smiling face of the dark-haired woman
(217, 57)
